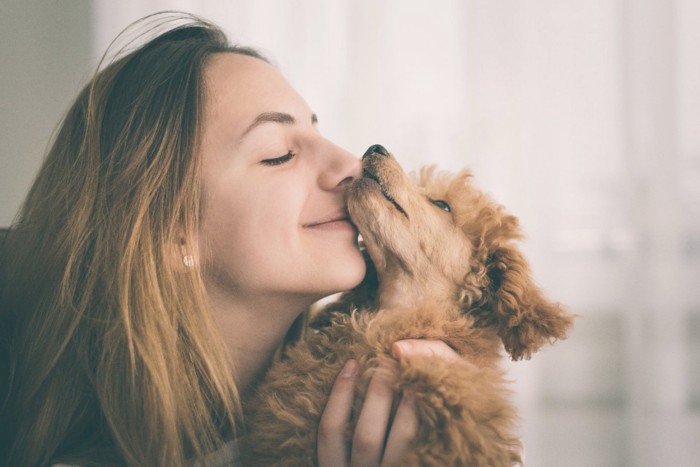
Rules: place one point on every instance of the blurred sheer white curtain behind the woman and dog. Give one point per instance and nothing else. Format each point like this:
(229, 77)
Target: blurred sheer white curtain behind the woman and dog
(584, 119)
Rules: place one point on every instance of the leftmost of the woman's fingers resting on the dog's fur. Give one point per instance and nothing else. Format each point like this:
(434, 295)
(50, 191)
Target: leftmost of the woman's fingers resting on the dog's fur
(332, 449)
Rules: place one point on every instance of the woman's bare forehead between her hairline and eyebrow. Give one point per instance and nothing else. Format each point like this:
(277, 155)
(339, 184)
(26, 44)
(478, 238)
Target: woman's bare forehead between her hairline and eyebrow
(240, 87)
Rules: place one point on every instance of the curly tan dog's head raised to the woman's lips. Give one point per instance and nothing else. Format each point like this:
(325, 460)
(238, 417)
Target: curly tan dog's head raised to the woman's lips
(442, 239)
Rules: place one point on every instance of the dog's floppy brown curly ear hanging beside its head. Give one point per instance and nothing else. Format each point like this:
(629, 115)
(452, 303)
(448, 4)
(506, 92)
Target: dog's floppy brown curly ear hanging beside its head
(524, 318)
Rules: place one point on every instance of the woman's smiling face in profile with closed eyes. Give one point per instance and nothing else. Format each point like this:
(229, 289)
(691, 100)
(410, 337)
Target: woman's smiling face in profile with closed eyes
(275, 221)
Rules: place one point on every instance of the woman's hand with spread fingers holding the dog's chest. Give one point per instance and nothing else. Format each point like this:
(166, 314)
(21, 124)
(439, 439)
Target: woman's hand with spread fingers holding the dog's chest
(368, 443)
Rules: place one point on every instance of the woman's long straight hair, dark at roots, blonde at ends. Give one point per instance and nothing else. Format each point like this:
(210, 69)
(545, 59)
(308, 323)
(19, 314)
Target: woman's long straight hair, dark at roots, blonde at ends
(113, 358)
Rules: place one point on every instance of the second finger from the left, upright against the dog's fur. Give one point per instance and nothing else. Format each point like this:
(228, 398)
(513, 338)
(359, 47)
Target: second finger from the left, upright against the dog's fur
(372, 424)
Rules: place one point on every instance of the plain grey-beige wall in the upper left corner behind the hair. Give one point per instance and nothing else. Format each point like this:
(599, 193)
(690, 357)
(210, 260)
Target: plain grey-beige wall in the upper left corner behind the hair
(44, 58)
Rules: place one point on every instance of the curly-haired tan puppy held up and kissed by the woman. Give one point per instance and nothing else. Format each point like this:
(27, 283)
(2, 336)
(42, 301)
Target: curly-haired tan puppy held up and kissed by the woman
(446, 268)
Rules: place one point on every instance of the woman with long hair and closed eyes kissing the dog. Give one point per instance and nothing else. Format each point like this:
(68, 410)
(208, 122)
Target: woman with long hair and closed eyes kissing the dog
(187, 215)
